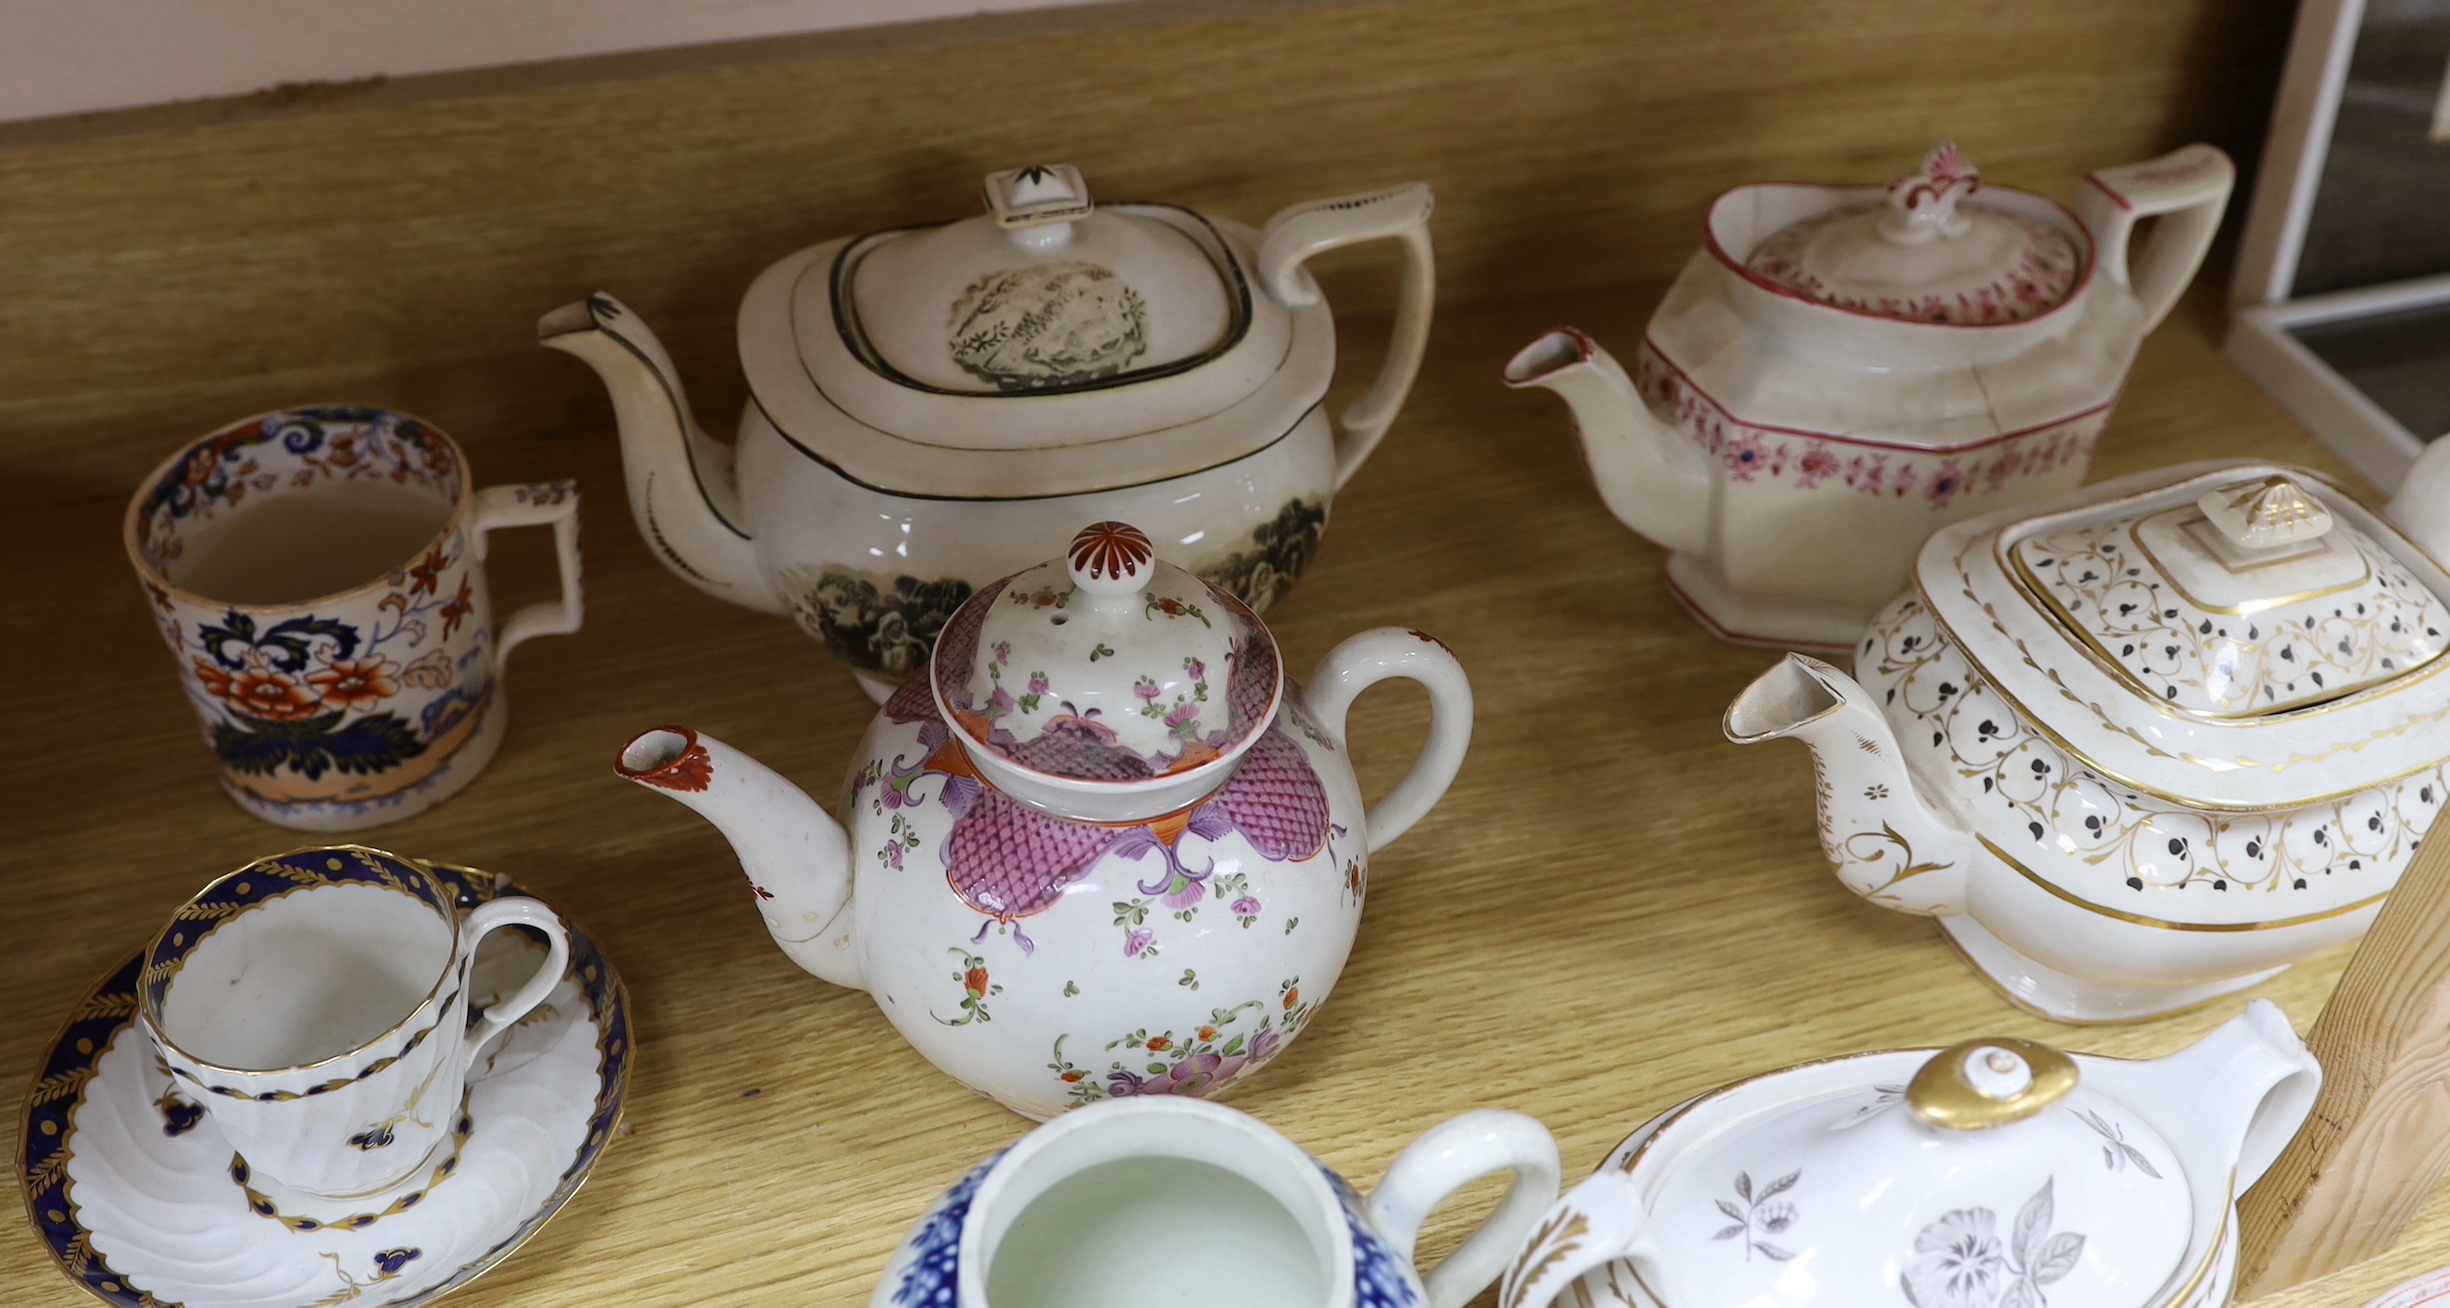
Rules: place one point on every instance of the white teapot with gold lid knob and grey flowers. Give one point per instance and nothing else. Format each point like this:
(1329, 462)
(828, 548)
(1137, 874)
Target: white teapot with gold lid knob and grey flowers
(1996, 1175)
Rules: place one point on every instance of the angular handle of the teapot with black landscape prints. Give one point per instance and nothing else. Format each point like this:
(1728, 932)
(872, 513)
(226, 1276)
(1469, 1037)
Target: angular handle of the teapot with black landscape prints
(1310, 229)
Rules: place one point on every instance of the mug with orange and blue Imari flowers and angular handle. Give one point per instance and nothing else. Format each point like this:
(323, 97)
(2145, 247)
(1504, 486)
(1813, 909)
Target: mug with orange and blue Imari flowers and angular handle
(320, 579)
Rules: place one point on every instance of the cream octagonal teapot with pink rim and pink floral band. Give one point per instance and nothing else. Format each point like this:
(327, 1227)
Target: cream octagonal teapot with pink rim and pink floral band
(1846, 369)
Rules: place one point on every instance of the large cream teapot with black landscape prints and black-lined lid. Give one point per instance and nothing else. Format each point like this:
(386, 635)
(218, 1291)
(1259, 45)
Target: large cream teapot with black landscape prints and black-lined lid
(925, 400)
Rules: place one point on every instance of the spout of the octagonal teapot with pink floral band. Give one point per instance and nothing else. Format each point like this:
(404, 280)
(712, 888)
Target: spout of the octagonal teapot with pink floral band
(1653, 476)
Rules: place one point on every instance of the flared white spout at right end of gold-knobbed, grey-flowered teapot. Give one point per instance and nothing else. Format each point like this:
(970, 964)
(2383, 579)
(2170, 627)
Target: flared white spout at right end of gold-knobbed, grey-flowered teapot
(2233, 1099)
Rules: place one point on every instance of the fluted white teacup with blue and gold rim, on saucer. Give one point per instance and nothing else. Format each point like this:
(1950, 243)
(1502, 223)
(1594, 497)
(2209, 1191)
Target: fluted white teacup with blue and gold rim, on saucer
(317, 1008)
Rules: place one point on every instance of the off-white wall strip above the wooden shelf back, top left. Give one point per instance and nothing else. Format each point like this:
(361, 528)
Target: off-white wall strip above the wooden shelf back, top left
(99, 55)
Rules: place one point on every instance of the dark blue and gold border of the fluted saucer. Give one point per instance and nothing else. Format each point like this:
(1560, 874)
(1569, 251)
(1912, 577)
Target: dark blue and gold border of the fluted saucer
(462, 881)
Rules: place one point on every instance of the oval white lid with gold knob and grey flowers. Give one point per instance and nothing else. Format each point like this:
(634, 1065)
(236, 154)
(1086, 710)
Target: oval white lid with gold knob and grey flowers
(1986, 1175)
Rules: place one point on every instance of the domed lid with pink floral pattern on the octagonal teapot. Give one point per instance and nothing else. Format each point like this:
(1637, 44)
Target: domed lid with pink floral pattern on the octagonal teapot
(1929, 254)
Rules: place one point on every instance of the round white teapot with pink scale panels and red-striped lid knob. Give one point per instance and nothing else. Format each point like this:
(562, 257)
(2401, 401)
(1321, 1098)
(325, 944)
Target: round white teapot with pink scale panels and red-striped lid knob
(1099, 846)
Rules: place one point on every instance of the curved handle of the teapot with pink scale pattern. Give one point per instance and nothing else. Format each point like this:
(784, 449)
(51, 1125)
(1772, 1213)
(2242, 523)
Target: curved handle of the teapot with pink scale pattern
(1381, 655)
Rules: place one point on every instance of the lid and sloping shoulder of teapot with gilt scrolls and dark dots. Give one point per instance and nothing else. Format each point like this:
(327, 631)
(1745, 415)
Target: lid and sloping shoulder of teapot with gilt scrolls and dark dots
(2218, 633)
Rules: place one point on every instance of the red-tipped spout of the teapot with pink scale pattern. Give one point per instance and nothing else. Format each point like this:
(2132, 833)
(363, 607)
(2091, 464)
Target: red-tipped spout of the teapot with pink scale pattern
(795, 854)
